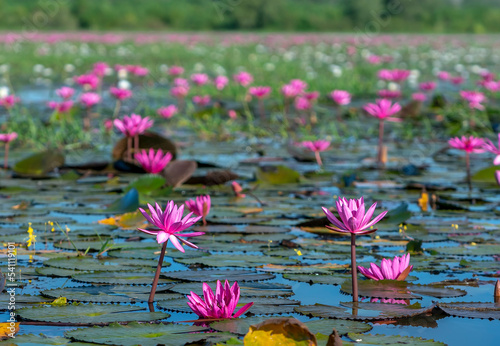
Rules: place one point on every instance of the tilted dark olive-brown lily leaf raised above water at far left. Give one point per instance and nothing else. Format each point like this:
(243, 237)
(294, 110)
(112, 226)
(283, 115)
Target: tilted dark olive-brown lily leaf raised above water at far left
(39, 164)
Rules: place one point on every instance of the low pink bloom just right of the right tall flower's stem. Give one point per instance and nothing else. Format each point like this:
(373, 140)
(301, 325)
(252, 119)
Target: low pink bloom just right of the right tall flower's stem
(396, 269)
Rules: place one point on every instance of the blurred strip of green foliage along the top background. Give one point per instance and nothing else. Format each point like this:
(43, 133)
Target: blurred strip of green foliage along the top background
(469, 16)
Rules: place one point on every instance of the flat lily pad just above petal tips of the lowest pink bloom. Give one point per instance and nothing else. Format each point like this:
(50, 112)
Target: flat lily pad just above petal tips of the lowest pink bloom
(214, 274)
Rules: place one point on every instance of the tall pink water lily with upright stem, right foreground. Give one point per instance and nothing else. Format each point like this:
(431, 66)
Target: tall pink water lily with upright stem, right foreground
(353, 221)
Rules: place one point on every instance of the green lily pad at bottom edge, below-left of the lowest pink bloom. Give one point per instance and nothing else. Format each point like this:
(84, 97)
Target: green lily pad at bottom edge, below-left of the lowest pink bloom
(144, 334)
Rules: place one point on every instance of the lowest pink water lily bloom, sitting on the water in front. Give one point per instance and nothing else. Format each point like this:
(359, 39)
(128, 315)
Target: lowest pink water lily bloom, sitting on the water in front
(220, 305)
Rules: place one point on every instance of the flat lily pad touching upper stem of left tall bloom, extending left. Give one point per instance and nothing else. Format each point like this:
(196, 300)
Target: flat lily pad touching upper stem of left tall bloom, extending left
(105, 264)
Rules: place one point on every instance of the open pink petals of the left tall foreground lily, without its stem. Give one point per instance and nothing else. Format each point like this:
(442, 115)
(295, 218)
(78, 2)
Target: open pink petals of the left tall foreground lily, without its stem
(169, 223)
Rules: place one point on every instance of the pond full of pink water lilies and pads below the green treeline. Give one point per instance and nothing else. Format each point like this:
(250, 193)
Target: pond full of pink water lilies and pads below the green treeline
(252, 157)
